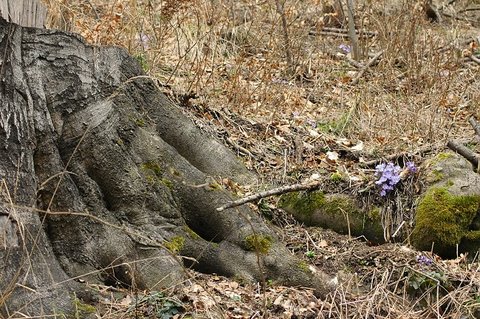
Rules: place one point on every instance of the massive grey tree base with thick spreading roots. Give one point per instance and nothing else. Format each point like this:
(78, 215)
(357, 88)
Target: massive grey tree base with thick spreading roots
(104, 179)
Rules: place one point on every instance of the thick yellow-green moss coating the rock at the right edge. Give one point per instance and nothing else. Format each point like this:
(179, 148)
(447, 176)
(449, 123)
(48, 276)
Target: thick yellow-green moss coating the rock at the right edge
(443, 219)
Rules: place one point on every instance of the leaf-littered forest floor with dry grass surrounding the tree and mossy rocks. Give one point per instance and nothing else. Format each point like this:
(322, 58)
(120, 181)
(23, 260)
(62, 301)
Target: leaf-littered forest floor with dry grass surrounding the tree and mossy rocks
(279, 83)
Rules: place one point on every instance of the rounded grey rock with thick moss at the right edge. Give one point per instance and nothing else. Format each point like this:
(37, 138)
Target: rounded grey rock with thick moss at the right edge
(448, 213)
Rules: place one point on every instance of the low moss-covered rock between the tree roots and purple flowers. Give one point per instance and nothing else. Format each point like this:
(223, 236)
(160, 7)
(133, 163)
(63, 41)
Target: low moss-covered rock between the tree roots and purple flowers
(338, 212)
